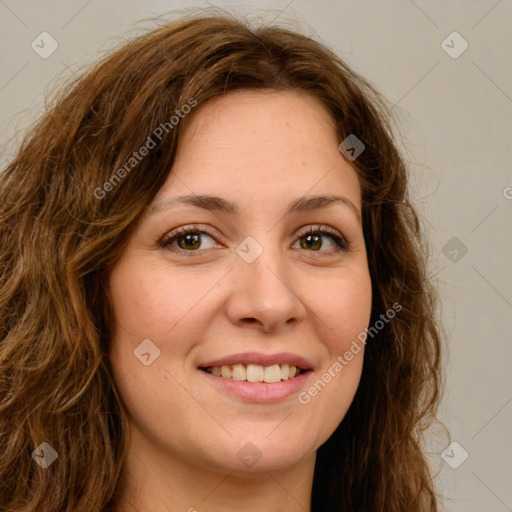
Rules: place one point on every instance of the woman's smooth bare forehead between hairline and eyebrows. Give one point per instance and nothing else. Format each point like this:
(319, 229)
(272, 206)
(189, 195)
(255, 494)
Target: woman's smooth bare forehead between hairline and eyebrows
(261, 142)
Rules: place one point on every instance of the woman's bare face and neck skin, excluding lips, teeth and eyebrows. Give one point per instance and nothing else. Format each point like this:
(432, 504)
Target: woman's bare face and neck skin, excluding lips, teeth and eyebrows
(261, 150)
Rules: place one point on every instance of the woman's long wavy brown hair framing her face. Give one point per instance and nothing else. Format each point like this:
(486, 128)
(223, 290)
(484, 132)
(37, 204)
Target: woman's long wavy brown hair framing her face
(62, 229)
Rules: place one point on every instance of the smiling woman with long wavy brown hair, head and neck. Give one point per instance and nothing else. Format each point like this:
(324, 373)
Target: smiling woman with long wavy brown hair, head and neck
(202, 243)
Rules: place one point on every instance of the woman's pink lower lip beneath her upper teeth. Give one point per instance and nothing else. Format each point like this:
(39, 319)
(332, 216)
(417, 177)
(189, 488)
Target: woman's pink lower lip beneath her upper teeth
(259, 392)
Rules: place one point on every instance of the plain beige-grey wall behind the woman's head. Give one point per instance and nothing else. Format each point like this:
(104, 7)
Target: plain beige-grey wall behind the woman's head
(457, 121)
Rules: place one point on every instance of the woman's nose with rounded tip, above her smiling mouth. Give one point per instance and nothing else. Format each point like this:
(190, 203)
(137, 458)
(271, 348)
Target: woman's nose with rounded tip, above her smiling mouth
(264, 293)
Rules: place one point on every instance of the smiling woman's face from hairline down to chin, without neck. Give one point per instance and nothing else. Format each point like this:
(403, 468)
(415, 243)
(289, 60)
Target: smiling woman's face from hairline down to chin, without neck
(268, 278)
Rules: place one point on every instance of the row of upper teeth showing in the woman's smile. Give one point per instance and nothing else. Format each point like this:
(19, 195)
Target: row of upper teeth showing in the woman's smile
(255, 372)
